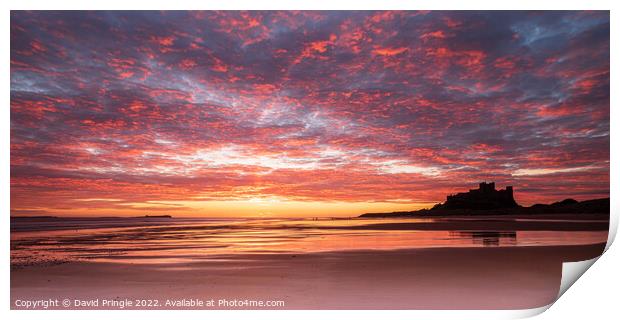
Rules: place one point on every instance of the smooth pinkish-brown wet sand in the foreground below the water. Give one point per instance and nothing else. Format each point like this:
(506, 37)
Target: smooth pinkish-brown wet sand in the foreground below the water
(434, 278)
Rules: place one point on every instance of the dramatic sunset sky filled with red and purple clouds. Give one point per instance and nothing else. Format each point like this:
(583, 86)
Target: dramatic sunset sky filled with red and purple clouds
(312, 113)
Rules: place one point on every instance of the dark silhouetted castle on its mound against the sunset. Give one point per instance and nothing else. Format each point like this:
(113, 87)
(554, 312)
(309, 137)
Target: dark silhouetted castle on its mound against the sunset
(483, 198)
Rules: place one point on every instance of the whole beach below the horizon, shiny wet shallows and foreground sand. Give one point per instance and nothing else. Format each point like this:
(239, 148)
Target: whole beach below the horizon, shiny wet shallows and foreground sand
(302, 264)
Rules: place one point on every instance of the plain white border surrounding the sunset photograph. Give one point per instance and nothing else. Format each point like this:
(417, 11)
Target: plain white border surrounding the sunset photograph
(302, 5)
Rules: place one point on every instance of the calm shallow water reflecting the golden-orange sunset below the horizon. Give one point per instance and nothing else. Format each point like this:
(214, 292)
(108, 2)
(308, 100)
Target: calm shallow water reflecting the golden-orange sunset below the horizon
(154, 240)
